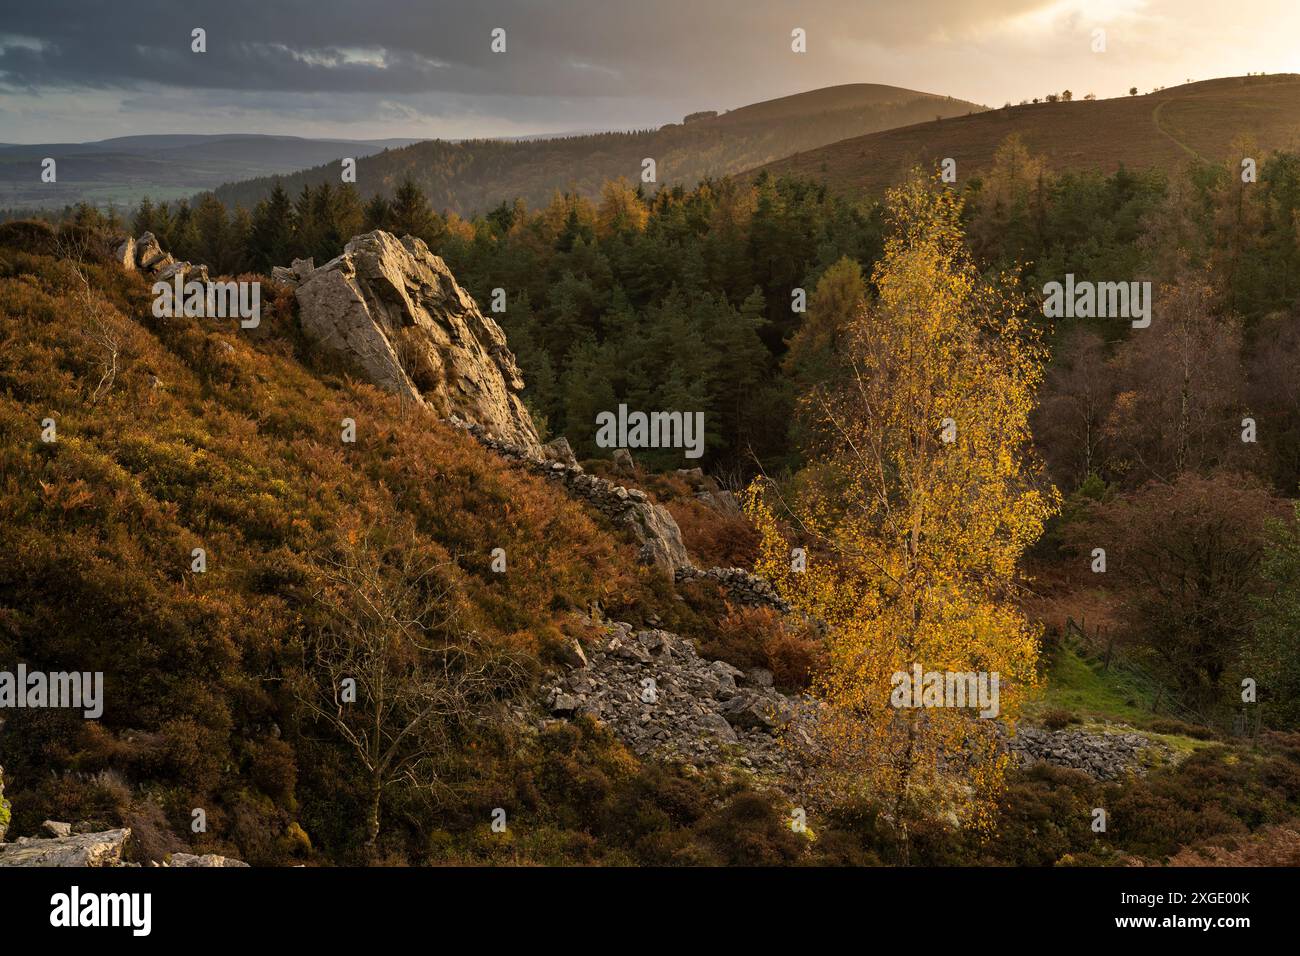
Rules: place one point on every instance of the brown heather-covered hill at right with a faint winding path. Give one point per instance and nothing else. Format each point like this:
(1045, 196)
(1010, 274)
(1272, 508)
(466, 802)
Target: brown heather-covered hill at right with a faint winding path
(1159, 129)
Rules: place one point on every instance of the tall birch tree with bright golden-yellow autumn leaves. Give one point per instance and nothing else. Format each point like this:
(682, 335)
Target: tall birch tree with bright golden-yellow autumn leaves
(920, 503)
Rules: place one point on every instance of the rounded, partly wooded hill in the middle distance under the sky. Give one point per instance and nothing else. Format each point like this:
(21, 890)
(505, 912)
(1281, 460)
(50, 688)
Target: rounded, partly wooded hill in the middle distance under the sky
(474, 176)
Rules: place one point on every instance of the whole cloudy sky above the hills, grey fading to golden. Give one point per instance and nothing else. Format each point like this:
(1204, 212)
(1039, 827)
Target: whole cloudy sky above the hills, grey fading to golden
(73, 71)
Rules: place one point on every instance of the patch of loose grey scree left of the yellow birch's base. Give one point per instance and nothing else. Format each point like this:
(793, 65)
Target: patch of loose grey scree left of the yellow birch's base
(657, 694)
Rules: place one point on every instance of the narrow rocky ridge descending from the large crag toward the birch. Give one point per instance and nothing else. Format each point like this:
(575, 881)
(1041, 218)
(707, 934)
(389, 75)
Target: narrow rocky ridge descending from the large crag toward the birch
(627, 508)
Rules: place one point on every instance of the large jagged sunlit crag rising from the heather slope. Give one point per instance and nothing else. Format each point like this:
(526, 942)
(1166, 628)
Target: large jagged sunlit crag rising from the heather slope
(396, 313)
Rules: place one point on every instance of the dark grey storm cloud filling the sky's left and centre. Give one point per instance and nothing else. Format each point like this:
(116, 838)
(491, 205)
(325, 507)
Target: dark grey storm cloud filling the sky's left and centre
(397, 47)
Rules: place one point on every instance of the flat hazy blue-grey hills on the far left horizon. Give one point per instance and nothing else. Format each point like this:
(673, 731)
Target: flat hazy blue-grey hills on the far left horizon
(166, 167)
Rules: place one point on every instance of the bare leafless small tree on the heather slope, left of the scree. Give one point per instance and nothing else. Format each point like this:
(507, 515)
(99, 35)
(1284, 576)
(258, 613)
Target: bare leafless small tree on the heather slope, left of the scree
(389, 633)
